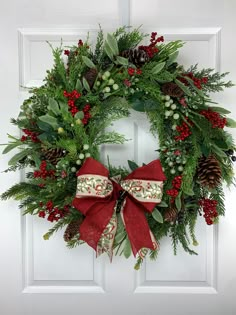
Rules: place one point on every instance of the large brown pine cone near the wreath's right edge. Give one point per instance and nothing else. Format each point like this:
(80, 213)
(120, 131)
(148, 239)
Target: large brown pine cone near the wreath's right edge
(209, 171)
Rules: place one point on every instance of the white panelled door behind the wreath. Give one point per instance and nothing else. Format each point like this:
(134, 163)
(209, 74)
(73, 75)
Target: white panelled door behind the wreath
(44, 278)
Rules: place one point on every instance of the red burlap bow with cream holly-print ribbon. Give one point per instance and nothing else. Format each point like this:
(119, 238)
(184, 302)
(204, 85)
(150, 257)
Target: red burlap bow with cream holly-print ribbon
(98, 196)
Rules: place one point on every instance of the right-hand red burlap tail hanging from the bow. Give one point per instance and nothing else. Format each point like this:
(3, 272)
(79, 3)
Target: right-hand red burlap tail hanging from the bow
(139, 233)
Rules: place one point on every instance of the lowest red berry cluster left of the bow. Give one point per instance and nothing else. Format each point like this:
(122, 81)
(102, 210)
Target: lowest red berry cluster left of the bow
(54, 213)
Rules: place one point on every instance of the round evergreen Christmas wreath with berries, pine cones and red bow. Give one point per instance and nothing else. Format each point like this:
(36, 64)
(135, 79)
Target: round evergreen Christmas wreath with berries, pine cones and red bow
(121, 209)
